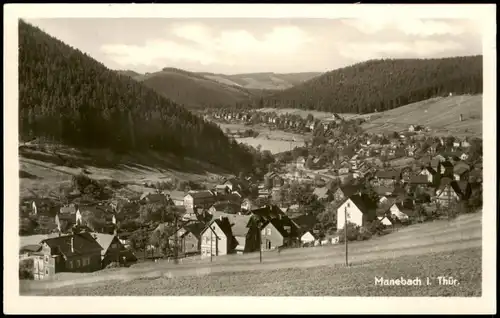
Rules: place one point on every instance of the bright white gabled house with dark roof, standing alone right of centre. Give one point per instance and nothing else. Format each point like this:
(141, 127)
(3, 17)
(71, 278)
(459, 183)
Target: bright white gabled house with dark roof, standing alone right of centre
(359, 209)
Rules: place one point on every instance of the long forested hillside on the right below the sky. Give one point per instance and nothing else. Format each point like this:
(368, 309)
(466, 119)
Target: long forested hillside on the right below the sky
(379, 85)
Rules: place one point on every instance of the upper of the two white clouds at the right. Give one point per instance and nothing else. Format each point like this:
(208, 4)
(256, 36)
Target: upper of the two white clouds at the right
(412, 26)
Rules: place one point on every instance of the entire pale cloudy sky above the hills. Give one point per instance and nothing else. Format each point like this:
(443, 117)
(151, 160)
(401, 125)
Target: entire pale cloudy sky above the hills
(232, 46)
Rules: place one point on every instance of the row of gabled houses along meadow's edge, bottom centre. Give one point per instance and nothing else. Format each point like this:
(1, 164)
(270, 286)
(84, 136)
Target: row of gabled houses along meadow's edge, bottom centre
(243, 232)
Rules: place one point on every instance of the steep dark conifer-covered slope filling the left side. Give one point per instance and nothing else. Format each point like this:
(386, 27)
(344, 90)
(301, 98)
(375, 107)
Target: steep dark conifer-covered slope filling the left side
(66, 96)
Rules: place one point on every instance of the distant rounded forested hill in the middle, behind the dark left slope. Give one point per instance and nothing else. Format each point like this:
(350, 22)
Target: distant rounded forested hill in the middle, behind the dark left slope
(193, 90)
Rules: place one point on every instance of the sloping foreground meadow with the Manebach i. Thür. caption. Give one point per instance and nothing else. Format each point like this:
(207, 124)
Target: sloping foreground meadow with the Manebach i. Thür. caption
(448, 238)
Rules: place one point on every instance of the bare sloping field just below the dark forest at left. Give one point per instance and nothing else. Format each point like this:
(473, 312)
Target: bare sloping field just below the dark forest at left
(42, 172)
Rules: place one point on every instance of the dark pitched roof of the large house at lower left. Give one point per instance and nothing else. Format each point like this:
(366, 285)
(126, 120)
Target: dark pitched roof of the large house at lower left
(83, 243)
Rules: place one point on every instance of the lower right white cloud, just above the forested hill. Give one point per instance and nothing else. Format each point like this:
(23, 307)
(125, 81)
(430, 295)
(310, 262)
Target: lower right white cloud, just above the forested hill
(360, 51)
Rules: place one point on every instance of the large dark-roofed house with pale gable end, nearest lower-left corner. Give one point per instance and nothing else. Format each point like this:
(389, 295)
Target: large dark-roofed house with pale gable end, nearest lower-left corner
(67, 253)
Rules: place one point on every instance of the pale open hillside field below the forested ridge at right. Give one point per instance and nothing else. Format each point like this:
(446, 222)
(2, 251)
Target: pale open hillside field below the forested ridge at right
(441, 115)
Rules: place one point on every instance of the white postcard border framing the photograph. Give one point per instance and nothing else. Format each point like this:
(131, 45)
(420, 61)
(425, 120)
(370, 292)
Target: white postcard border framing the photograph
(485, 15)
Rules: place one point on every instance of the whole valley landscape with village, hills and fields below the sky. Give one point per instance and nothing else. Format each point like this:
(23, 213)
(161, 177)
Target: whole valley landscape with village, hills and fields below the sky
(196, 183)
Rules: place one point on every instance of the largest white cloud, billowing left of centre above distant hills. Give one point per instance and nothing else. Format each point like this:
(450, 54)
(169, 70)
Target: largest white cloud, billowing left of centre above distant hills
(228, 46)
